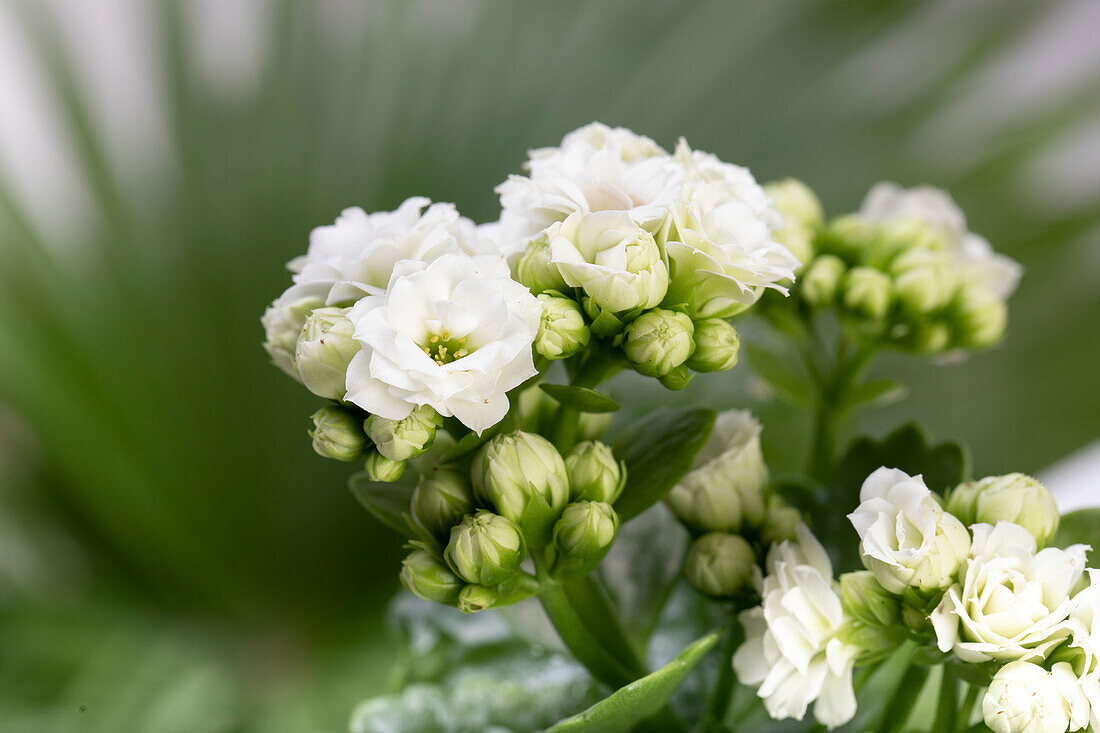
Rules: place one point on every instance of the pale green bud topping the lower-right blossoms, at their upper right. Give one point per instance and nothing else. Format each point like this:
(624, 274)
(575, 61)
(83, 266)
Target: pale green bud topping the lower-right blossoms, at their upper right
(1014, 498)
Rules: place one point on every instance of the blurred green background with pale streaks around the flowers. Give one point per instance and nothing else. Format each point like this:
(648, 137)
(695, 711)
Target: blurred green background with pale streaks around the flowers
(173, 556)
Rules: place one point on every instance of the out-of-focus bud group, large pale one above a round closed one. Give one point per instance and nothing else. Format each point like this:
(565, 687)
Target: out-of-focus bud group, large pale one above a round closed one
(725, 504)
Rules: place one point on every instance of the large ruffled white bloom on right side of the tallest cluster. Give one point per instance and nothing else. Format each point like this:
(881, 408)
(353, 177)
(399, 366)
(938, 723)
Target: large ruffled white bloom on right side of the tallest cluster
(721, 251)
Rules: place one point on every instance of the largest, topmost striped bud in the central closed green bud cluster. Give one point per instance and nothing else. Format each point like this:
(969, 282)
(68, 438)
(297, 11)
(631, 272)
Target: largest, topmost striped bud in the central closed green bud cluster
(514, 469)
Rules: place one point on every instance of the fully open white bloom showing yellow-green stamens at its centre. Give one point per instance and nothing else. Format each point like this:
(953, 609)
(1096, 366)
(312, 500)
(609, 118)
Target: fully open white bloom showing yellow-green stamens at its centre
(455, 334)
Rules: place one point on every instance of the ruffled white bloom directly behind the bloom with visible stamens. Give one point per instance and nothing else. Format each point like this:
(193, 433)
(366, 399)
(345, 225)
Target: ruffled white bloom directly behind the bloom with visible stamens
(356, 256)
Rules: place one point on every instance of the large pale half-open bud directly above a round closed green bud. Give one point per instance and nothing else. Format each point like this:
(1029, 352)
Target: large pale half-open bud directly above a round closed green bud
(724, 491)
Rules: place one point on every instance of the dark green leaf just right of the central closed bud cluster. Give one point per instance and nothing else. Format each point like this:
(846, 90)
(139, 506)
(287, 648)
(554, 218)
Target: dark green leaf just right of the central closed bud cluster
(658, 451)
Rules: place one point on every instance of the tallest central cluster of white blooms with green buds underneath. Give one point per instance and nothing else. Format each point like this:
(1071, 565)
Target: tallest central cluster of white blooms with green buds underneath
(648, 251)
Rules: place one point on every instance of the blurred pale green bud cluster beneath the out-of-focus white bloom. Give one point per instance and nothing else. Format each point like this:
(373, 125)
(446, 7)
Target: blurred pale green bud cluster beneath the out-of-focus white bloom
(906, 281)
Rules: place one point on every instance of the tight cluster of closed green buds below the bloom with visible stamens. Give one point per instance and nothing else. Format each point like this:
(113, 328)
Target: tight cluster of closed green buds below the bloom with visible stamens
(518, 500)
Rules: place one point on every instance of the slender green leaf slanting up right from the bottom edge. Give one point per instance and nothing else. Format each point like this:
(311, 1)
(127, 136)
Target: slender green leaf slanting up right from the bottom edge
(641, 699)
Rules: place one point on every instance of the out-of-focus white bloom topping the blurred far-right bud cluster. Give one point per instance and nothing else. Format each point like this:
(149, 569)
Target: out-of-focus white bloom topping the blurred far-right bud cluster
(977, 260)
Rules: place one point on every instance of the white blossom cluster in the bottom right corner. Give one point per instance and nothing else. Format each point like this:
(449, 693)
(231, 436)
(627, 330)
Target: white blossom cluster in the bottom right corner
(997, 597)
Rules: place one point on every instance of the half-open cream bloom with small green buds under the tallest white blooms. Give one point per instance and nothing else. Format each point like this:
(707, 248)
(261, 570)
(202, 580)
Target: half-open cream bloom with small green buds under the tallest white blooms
(623, 308)
